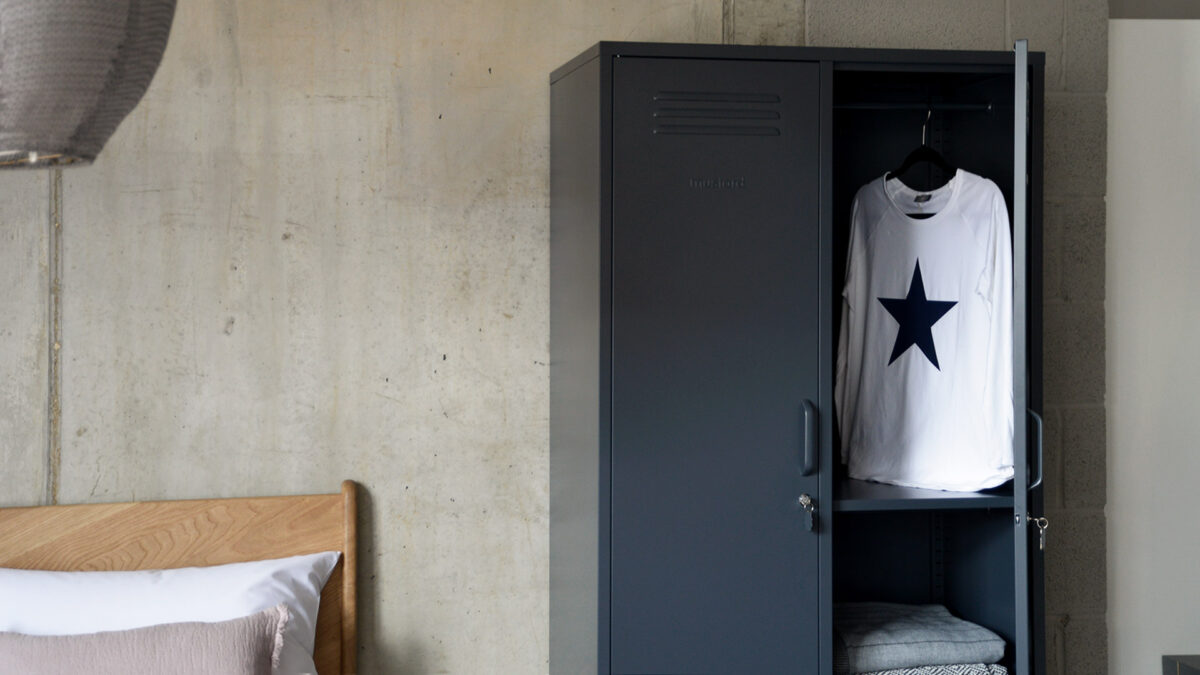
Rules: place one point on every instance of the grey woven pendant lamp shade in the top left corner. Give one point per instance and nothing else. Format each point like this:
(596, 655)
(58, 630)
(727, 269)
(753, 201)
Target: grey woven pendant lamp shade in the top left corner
(70, 71)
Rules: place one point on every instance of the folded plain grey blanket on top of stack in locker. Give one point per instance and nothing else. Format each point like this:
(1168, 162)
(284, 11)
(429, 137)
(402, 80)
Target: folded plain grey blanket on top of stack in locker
(883, 637)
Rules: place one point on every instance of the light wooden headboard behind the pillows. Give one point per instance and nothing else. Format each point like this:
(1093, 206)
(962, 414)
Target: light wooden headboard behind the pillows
(201, 533)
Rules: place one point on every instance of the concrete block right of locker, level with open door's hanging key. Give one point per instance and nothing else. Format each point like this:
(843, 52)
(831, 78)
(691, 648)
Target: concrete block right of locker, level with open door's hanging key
(1076, 563)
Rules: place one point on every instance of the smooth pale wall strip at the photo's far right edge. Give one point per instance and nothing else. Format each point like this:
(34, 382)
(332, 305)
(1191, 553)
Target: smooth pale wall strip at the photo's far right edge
(1154, 318)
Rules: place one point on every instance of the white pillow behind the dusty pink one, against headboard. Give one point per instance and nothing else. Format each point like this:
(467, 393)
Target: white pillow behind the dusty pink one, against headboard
(71, 604)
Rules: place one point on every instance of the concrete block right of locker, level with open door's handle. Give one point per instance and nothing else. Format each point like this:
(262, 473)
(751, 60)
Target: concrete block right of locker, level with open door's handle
(1084, 458)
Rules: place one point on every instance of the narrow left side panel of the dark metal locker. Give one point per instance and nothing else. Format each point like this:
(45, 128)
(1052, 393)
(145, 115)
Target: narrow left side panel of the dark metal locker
(578, 401)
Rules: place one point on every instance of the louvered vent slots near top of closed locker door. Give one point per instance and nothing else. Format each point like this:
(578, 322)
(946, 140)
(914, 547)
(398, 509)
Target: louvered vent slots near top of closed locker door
(717, 114)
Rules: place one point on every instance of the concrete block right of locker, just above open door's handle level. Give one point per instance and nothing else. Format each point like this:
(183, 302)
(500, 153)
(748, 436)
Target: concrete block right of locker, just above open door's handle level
(1073, 360)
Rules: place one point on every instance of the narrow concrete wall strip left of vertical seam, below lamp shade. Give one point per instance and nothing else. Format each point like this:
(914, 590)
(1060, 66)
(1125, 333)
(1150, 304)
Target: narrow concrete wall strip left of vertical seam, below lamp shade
(25, 217)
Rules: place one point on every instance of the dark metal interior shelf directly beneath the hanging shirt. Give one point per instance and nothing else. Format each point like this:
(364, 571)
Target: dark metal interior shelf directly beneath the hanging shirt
(862, 495)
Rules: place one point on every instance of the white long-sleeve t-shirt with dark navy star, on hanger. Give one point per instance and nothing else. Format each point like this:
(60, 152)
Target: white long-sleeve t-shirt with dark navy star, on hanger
(925, 384)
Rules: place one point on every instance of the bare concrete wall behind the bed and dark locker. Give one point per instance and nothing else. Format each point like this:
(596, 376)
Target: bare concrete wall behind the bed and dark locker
(319, 250)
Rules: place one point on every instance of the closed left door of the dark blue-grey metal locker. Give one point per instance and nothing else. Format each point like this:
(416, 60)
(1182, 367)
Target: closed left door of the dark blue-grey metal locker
(716, 288)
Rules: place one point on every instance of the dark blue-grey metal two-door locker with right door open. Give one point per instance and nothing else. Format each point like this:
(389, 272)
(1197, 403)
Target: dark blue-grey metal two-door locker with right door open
(699, 199)
